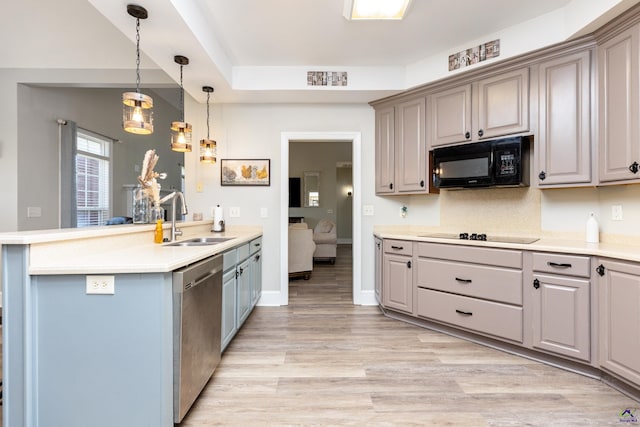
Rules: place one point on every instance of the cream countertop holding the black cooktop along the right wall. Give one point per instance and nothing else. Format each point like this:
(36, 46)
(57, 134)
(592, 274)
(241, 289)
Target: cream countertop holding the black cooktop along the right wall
(622, 251)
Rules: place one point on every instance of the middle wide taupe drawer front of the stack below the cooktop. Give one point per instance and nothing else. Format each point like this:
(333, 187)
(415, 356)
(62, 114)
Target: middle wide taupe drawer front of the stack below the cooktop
(493, 283)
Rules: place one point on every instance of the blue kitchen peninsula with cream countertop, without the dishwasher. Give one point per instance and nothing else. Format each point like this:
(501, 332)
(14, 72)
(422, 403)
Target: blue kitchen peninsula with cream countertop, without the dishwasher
(74, 358)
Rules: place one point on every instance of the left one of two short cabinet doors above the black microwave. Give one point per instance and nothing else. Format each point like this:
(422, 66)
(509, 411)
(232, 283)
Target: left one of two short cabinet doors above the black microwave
(450, 116)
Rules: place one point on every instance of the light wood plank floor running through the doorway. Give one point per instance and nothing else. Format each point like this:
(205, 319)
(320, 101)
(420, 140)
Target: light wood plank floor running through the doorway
(323, 361)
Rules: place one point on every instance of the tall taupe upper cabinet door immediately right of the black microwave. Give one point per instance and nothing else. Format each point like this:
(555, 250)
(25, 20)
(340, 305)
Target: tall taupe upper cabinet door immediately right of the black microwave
(564, 137)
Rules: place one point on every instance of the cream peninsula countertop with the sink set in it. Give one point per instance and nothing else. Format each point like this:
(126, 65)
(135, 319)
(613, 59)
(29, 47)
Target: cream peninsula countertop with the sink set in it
(120, 249)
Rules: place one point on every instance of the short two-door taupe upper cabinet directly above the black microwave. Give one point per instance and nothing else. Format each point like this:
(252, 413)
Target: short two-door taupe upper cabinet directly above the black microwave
(490, 107)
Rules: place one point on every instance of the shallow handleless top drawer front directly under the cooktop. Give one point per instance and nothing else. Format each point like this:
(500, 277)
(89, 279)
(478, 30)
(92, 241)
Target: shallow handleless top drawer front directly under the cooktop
(491, 256)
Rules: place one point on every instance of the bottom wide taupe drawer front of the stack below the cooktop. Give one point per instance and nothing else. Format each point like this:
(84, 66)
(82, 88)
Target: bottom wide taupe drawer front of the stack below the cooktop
(491, 318)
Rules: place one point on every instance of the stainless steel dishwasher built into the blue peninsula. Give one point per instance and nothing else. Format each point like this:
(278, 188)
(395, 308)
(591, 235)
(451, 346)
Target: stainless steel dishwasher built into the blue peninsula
(197, 308)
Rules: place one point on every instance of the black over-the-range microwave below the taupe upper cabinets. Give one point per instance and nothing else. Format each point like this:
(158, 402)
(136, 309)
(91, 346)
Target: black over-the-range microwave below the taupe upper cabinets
(495, 163)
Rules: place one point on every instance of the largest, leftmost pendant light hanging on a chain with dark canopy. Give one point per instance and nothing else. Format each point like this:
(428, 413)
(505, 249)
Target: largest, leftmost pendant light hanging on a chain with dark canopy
(137, 110)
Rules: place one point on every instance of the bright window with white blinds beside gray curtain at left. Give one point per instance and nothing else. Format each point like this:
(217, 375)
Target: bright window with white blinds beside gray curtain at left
(93, 178)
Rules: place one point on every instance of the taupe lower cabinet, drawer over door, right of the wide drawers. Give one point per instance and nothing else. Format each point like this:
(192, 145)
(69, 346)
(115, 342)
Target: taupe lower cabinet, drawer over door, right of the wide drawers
(561, 306)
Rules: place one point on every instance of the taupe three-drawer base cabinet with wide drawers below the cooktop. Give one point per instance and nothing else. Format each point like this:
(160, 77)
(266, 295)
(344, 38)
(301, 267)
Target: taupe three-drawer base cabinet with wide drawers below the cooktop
(479, 289)
